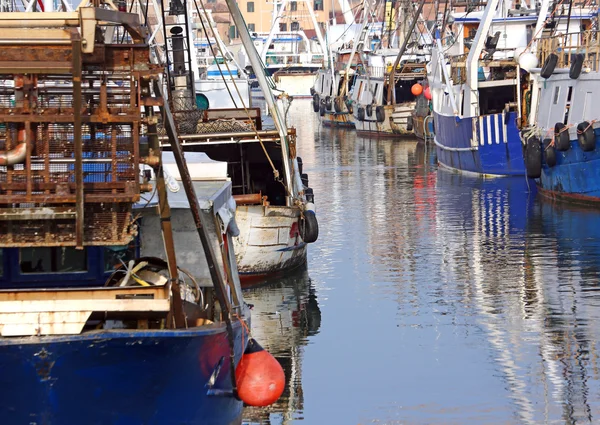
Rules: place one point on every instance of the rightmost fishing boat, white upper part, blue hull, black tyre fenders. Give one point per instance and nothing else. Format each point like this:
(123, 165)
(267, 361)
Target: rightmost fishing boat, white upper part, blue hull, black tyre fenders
(561, 137)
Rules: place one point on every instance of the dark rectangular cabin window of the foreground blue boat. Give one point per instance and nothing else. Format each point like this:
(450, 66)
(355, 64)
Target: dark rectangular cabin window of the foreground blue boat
(52, 260)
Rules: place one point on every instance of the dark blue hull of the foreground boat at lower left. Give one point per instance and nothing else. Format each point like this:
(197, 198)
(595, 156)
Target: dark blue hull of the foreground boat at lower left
(118, 377)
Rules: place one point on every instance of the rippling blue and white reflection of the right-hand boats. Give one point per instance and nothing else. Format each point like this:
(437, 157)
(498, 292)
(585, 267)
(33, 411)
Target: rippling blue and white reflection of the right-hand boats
(533, 271)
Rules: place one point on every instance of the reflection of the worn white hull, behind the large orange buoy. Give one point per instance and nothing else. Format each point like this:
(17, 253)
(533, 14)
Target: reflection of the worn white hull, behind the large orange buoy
(285, 314)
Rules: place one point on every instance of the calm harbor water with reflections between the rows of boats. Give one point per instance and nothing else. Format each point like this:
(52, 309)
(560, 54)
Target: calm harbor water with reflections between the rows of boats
(430, 297)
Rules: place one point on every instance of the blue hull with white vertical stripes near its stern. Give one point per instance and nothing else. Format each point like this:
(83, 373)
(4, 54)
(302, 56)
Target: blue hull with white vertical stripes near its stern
(497, 149)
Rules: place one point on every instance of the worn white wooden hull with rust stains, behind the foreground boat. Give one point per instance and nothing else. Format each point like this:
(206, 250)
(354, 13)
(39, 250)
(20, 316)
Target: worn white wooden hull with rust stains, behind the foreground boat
(269, 240)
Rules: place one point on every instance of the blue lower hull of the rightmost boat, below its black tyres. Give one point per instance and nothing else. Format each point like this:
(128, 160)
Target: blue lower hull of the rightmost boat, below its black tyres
(576, 175)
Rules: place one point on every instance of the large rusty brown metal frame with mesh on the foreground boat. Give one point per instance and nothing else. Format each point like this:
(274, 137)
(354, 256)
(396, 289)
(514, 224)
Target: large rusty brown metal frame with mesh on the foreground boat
(64, 47)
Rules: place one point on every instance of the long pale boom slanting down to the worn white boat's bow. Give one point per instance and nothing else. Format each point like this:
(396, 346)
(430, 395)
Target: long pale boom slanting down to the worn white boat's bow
(261, 76)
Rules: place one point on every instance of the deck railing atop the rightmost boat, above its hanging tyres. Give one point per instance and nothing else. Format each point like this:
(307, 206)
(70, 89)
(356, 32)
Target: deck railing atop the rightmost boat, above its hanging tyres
(566, 46)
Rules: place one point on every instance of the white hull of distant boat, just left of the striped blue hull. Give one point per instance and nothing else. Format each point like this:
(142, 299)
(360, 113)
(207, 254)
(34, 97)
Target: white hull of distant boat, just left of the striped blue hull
(394, 124)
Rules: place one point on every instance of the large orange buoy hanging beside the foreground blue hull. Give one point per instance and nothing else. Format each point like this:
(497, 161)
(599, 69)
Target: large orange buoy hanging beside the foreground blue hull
(259, 376)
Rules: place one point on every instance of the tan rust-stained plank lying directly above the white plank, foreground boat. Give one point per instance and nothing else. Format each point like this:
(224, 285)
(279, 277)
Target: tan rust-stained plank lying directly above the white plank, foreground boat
(156, 292)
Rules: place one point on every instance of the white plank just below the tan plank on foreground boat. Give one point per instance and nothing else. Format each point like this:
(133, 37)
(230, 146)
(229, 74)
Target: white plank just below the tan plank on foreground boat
(126, 305)
